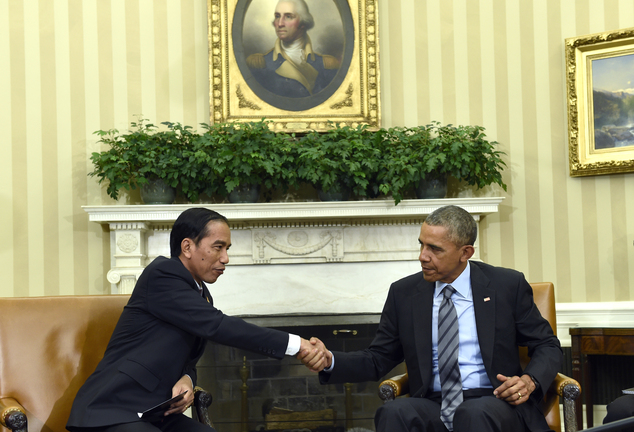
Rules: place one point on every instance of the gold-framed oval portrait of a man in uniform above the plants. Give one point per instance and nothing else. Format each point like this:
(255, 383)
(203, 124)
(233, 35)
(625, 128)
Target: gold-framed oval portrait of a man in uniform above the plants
(246, 83)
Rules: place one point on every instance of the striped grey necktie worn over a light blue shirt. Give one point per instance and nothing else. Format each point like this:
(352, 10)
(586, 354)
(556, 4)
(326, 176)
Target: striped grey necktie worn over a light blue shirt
(450, 382)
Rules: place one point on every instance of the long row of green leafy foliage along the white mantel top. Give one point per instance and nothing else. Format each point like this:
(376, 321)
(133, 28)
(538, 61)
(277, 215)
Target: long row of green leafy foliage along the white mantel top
(344, 158)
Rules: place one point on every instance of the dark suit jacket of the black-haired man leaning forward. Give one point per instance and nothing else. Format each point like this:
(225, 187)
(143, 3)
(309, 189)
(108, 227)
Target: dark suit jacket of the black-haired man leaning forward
(159, 338)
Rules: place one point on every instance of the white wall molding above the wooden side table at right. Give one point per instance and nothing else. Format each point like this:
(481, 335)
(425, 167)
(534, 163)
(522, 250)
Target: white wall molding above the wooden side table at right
(592, 314)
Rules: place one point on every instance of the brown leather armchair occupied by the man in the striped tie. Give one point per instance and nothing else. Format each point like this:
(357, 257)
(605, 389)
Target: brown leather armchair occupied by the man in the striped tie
(562, 386)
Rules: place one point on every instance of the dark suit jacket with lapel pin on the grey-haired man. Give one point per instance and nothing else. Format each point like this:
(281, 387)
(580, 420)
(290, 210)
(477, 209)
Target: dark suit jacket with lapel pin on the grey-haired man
(508, 319)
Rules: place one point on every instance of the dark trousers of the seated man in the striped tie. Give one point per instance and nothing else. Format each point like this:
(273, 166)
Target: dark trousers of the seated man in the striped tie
(476, 413)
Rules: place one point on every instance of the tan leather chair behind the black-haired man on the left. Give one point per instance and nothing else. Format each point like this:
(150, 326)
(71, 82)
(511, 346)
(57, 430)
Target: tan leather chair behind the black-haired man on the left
(48, 348)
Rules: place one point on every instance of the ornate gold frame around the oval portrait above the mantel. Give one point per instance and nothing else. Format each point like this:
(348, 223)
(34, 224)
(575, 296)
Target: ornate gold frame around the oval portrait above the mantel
(355, 101)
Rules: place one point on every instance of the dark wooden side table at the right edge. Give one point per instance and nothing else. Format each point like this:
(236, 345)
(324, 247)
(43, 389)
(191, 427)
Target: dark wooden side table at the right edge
(595, 341)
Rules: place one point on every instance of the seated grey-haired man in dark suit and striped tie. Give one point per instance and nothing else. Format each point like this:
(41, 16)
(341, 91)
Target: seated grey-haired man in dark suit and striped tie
(495, 313)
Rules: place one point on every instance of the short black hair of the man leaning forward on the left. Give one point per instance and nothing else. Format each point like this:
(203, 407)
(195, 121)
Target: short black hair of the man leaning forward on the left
(192, 223)
